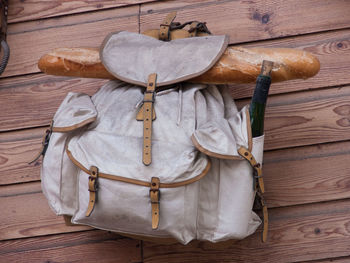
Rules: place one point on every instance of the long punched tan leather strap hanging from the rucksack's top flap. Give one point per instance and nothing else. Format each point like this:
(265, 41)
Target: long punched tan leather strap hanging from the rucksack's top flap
(148, 102)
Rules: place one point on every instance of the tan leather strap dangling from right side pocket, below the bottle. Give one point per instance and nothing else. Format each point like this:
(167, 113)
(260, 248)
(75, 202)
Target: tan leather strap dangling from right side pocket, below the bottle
(258, 187)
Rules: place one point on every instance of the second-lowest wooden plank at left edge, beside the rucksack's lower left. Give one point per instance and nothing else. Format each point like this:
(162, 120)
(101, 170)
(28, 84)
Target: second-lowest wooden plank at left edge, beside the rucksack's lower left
(25, 213)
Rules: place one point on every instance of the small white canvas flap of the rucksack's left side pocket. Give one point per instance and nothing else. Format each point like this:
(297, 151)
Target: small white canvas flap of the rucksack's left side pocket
(76, 110)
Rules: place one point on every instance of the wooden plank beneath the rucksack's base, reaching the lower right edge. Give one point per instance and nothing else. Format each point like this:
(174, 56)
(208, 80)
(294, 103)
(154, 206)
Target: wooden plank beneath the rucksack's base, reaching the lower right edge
(299, 233)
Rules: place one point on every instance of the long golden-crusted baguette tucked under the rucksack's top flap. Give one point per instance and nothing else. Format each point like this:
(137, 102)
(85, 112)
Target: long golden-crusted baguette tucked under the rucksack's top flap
(237, 65)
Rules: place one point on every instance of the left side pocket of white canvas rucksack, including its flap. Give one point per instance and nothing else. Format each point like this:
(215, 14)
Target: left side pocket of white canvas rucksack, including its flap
(58, 174)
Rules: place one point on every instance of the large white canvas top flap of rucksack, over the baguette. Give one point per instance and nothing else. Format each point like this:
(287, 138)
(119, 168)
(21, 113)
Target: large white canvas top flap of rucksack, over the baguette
(132, 57)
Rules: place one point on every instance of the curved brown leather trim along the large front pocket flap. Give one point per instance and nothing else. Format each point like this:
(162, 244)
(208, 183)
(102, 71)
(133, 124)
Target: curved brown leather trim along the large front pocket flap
(139, 182)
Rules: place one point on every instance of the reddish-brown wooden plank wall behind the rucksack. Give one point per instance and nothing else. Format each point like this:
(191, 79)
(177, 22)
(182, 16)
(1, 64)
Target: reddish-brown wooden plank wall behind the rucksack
(307, 157)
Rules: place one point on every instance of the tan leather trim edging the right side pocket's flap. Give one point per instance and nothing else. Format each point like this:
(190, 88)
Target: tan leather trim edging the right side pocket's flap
(226, 156)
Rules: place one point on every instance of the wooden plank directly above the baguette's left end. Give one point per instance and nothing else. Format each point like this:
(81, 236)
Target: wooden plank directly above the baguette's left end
(30, 41)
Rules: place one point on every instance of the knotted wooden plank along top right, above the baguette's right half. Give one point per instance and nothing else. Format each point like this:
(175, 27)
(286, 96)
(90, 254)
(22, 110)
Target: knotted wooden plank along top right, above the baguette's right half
(252, 20)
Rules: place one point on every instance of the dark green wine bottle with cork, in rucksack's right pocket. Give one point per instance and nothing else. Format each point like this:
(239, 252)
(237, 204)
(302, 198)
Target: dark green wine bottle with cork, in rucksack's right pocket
(258, 103)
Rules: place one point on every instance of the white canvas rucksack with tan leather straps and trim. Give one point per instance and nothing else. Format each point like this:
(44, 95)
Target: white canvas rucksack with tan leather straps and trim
(152, 155)
